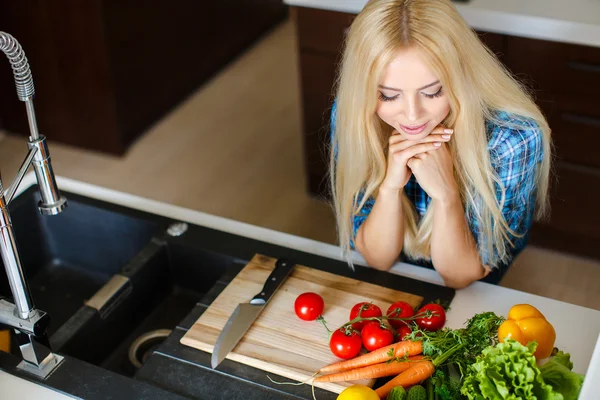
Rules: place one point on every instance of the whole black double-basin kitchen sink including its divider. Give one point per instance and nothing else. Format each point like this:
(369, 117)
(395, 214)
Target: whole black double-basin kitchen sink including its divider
(107, 276)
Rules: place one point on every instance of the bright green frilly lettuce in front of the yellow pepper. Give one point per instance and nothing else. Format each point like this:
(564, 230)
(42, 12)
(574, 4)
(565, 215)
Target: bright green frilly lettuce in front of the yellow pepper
(507, 371)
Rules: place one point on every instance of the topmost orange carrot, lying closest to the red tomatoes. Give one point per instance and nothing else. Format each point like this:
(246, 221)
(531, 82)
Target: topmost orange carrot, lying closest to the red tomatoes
(383, 354)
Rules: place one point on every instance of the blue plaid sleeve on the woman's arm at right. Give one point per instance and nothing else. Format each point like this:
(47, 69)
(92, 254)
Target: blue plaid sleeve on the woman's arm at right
(516, 154)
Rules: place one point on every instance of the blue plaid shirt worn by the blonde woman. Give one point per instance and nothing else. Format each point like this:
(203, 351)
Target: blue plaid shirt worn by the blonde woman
(515, 147)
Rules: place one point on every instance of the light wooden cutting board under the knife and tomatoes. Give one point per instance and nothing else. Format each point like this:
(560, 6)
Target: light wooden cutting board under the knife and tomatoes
(278, 341)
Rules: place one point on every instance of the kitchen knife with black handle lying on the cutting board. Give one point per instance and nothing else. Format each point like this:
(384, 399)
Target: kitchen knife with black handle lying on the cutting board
(246, 313)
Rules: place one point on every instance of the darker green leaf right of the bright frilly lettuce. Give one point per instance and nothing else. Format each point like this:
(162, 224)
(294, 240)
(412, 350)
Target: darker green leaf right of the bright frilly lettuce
(557, 373)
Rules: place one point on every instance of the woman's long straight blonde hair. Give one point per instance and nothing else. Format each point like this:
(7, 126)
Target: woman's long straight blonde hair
(477, 86)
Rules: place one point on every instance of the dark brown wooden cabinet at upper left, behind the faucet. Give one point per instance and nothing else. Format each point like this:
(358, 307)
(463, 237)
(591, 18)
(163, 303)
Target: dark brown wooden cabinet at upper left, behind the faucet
(106, 70)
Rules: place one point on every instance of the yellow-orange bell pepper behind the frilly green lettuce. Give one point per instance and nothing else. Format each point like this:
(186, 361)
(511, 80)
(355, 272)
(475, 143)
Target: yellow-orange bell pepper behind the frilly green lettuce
(525, 324)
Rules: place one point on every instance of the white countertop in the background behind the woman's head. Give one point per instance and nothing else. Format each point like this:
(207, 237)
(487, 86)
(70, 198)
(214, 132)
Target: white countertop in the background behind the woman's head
(569, 21)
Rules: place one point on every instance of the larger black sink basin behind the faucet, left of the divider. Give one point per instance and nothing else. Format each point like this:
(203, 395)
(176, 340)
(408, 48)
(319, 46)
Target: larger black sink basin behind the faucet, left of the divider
(68, 257)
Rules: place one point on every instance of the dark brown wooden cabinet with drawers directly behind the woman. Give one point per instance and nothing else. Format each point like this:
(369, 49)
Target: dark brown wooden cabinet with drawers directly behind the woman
(563, 78)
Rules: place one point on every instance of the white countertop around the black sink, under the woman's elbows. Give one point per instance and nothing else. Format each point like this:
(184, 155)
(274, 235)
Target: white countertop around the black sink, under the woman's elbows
(577, 328)
